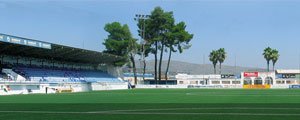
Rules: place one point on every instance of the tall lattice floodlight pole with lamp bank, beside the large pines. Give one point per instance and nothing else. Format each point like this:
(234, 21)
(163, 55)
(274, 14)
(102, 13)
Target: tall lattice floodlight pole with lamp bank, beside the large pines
(137, 18)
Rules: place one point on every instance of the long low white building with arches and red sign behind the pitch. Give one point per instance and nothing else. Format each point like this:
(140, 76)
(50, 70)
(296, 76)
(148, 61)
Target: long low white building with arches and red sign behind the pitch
(279, 79)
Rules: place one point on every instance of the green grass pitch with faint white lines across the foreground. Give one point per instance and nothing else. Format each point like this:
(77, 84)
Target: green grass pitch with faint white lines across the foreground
(156, 104)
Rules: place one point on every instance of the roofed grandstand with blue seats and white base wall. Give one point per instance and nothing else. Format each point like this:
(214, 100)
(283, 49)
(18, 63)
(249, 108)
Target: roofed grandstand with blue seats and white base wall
(32, 66)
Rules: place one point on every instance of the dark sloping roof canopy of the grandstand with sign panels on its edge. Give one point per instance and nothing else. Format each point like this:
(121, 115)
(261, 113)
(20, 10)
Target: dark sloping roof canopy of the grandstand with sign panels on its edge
(17, 46)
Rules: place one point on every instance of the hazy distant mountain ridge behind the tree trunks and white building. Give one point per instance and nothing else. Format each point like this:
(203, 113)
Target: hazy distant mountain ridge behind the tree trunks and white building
(191, 68)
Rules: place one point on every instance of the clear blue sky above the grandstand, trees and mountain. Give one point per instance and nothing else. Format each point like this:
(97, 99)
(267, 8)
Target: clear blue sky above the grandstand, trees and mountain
(243, 28)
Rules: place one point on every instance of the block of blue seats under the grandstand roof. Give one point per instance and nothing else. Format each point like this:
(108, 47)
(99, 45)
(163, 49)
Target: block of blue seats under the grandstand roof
(64, 75)
